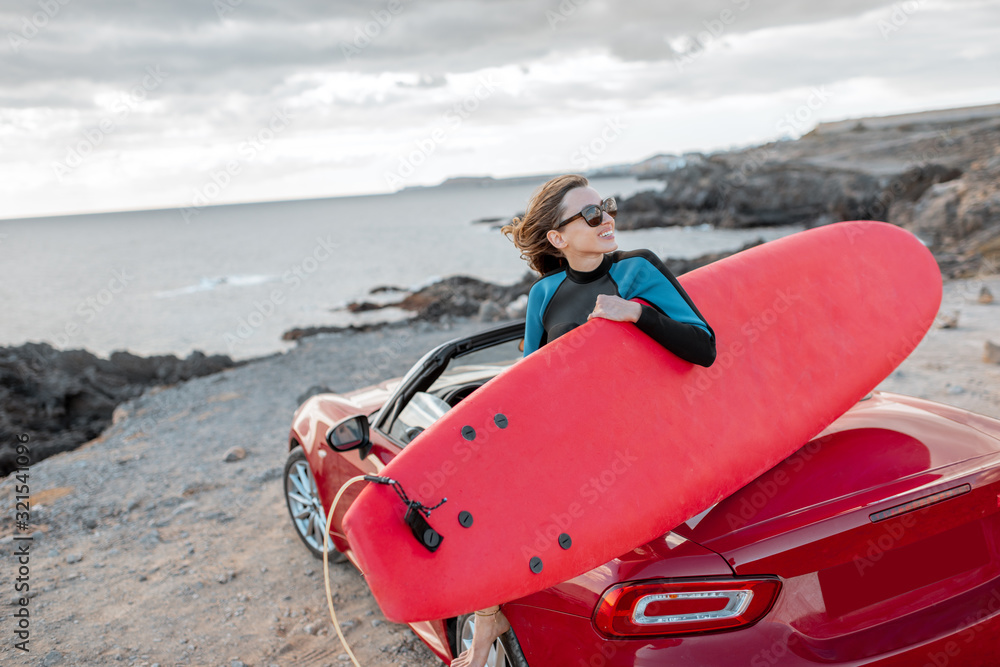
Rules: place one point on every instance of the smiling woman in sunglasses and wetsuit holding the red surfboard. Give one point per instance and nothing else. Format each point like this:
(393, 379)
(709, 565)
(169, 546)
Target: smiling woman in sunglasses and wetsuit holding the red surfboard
(567, 235)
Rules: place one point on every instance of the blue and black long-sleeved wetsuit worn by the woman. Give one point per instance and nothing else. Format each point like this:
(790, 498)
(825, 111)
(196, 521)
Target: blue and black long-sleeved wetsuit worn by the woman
(561, 300)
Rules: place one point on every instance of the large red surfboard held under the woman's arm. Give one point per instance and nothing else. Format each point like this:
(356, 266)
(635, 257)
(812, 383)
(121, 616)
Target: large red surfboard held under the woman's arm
(602, 440)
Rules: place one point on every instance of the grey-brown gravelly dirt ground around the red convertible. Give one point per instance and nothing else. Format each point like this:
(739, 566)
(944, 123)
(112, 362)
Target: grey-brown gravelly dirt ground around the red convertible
(149, 549)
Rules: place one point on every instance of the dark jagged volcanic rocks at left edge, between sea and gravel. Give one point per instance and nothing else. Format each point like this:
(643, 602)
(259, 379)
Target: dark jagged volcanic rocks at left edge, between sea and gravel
(62, 399)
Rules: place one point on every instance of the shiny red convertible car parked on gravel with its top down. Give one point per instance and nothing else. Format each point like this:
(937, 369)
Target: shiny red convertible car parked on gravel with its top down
(878, 542)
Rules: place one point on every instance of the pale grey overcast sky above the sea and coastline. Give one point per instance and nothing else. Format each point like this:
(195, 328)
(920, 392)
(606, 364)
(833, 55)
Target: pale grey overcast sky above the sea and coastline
(114, 104)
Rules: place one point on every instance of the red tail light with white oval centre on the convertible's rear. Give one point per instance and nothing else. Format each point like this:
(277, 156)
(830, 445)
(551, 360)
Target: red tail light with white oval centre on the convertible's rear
(680, 607)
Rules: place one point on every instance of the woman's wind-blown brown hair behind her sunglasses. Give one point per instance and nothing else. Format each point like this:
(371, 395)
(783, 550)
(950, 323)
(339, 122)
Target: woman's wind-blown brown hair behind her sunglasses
(544, 213)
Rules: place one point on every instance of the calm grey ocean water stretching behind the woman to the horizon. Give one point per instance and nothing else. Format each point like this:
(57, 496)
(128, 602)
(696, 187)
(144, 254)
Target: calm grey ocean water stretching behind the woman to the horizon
(232, 279)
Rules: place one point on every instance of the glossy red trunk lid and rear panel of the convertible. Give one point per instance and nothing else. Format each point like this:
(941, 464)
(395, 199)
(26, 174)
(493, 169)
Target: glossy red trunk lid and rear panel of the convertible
(884, 531)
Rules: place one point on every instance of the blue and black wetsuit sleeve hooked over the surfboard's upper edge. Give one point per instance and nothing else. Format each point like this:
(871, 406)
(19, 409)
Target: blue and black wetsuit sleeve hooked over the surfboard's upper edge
(672, 320)
